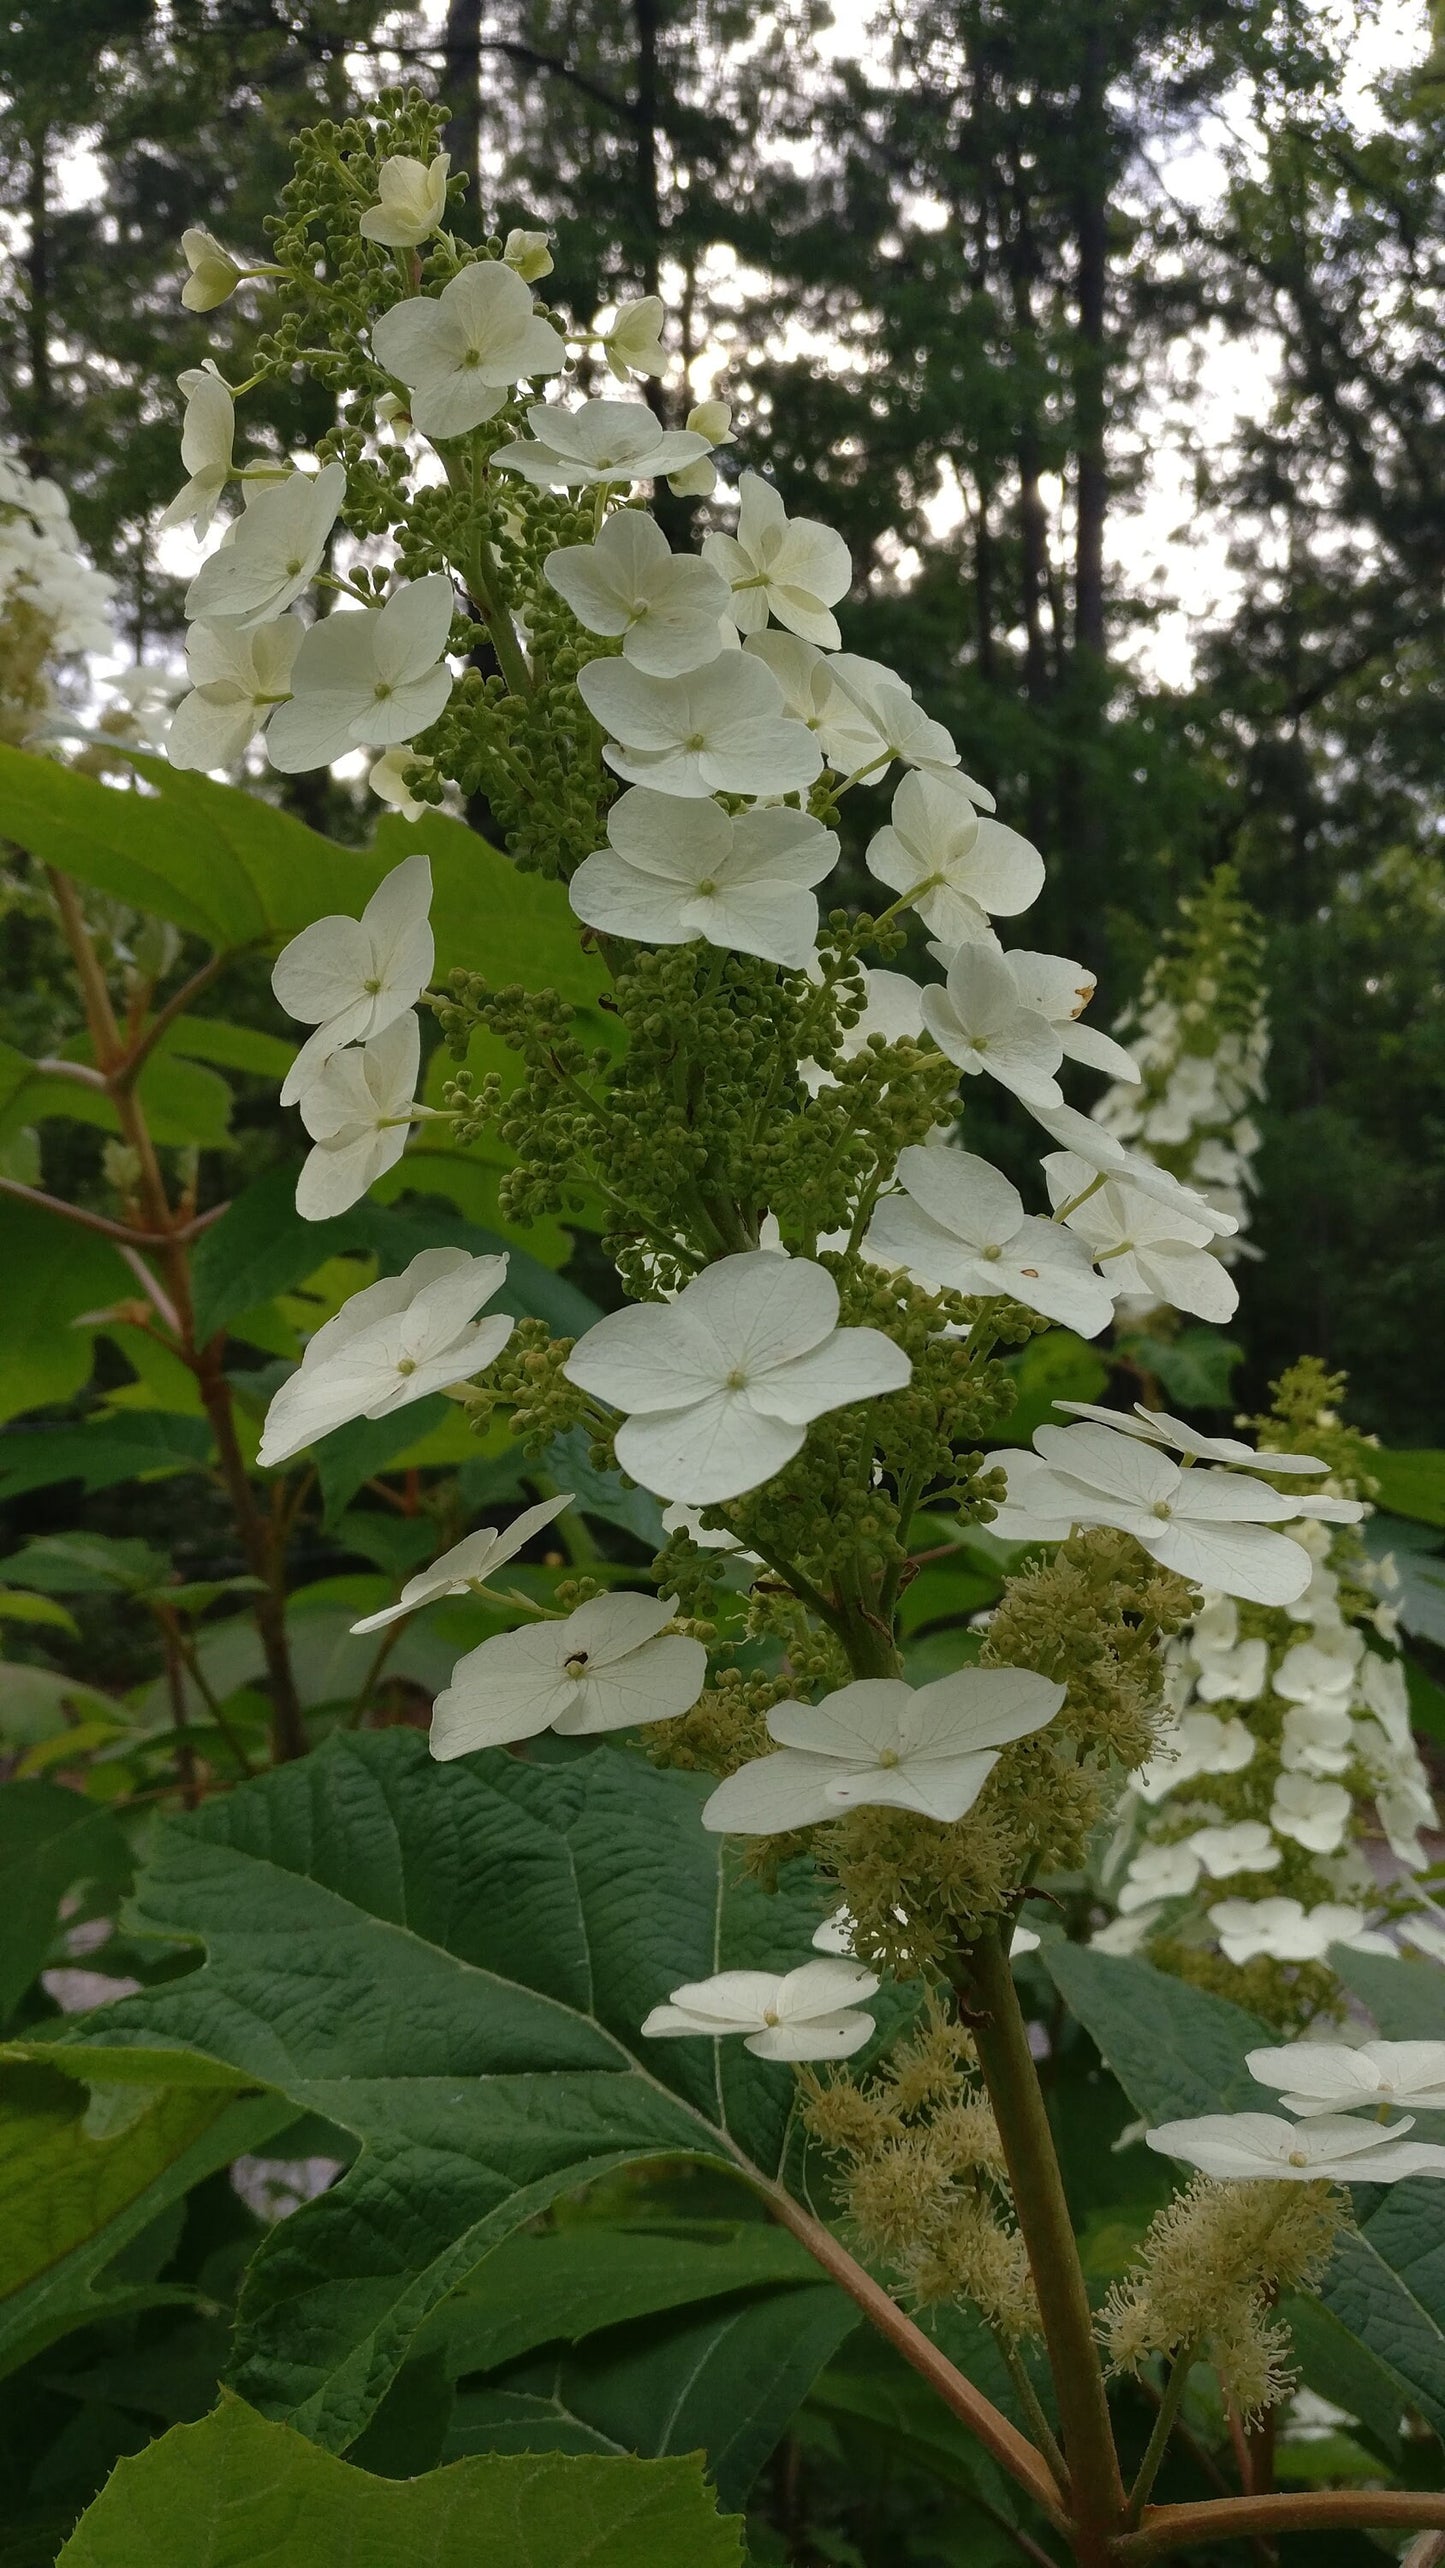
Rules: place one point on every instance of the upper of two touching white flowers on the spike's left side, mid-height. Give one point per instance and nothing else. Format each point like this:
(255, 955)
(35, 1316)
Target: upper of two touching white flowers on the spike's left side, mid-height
(355, 977)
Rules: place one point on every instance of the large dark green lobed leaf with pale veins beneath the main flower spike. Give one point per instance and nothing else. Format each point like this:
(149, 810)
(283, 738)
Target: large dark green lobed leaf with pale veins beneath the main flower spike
(450, 1963)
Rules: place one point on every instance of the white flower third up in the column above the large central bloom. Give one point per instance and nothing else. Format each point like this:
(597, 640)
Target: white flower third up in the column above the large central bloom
(663, 605)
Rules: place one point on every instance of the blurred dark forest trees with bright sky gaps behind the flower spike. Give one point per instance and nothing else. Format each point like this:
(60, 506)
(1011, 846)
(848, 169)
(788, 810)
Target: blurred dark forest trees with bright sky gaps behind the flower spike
(948, 289)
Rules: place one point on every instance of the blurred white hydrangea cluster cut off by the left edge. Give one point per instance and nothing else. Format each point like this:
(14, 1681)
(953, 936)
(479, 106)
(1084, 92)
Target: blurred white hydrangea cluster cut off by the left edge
(53, 602)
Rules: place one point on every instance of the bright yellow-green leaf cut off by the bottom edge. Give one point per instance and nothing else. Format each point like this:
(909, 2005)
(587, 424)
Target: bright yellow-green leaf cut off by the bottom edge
(240, 2490)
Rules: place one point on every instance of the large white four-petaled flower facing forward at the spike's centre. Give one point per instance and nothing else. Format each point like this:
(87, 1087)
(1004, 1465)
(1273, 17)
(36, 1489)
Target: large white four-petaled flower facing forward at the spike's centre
(720, 1385)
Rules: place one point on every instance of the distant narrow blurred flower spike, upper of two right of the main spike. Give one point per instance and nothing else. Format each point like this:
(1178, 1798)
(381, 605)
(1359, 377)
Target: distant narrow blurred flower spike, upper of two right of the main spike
(1200, 1044)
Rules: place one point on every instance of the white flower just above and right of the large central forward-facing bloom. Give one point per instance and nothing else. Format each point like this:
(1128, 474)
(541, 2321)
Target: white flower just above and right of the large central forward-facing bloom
(959, 1224)
